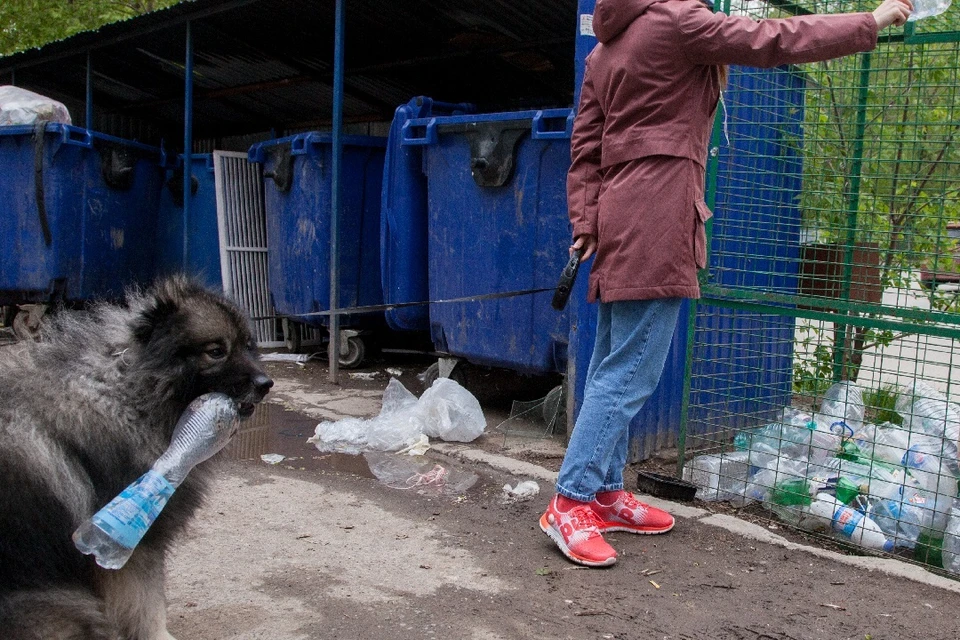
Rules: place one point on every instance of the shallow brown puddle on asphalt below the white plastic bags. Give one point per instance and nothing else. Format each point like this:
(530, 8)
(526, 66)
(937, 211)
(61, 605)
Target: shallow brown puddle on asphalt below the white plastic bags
(274, 430)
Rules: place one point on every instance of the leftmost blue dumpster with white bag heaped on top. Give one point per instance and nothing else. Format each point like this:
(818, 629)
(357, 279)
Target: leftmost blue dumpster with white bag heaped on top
(80, 213)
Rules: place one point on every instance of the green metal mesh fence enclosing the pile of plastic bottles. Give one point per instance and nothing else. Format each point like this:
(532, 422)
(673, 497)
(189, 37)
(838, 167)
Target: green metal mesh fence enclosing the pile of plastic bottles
(837, 297)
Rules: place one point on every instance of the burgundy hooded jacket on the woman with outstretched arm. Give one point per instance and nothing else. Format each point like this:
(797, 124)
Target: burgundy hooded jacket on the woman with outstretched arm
(650, 91)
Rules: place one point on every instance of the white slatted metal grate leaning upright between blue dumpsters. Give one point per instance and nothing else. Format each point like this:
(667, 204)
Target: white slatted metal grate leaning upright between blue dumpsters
(243, 240)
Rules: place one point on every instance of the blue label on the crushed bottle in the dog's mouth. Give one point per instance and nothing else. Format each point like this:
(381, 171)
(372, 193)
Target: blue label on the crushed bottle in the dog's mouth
(128, 516)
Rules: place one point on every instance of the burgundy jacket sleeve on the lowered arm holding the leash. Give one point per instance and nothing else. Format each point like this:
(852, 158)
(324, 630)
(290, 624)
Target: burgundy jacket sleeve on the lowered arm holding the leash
(583, 178)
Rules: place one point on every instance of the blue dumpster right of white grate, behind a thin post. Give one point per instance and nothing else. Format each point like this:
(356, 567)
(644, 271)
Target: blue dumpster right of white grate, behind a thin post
(297, 200)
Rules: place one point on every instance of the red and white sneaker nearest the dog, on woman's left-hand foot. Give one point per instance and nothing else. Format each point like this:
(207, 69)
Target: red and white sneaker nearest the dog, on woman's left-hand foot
(577, 533)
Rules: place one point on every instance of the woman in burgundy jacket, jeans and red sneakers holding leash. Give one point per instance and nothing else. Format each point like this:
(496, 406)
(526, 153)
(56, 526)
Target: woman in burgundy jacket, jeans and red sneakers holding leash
(635, 196)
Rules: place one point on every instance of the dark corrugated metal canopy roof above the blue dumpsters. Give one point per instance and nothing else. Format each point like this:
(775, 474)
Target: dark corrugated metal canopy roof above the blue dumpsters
(263, 65)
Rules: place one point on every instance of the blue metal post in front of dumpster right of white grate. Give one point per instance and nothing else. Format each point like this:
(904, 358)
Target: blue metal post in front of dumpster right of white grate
(337, 151)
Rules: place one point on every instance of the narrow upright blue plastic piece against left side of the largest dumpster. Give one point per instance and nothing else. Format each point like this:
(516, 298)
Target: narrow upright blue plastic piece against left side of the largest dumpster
(403, 224)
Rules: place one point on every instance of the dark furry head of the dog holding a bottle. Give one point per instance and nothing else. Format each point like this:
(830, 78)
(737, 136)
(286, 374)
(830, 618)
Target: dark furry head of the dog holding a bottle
(193, 341)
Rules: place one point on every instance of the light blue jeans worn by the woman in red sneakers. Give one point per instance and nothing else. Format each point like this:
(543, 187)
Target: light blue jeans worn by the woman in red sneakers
(633, 340)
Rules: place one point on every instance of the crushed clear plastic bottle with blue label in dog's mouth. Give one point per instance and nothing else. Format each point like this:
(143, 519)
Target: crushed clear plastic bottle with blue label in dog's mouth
(112, 533)
